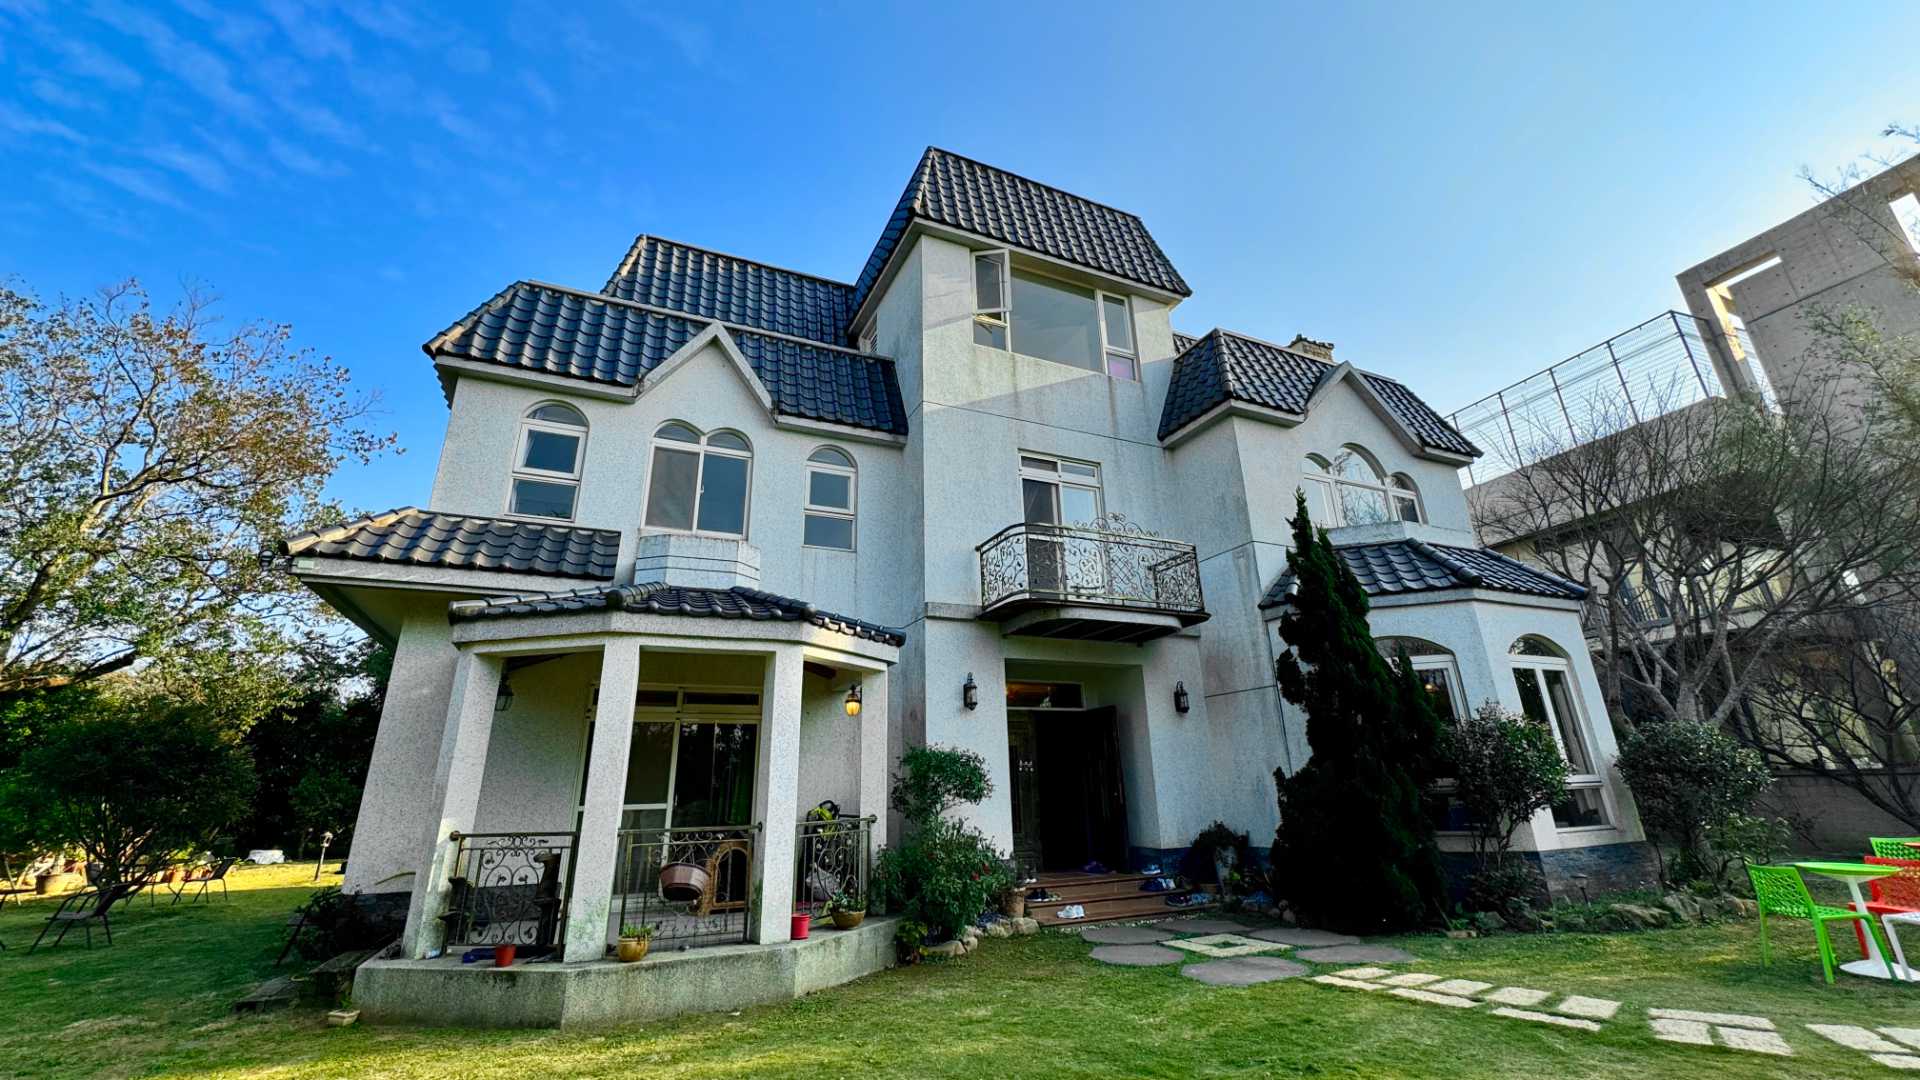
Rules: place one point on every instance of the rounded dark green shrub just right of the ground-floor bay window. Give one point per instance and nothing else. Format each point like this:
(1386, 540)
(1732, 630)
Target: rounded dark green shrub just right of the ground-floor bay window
(1691, 781)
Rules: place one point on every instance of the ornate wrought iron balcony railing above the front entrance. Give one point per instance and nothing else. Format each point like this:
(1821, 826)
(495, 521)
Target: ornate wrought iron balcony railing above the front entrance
(1111, 562)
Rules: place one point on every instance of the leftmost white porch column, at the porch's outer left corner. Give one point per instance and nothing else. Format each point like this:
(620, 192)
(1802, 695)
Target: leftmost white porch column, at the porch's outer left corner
(456, 795)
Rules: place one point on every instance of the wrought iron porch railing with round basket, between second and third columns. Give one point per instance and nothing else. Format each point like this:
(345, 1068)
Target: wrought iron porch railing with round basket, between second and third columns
(692, 885)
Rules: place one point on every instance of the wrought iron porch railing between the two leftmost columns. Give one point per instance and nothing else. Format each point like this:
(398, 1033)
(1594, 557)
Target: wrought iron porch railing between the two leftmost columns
(510, 889)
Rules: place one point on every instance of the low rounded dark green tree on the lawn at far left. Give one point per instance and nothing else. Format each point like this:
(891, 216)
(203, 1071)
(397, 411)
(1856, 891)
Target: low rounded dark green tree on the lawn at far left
(128, 779)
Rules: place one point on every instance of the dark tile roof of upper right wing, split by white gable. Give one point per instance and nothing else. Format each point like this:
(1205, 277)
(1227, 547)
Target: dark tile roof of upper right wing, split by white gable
(1224, 366)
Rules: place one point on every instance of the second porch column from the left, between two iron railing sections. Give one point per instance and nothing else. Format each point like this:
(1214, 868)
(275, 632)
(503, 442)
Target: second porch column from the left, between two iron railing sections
(598, 848)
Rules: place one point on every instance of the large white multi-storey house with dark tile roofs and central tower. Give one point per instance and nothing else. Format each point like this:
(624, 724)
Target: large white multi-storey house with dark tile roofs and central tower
(715, 545)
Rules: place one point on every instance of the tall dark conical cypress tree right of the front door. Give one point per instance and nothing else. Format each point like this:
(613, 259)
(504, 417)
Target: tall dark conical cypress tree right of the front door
(1355, 848)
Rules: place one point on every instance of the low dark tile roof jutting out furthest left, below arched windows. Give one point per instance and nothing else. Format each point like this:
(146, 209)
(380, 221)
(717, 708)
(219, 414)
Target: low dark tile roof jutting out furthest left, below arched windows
(427, 539)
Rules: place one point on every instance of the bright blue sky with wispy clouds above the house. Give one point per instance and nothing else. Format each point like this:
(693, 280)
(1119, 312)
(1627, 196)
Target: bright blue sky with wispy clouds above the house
(1452, 193)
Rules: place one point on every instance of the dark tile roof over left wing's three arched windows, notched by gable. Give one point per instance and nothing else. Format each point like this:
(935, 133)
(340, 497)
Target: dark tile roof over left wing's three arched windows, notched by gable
(581, 335)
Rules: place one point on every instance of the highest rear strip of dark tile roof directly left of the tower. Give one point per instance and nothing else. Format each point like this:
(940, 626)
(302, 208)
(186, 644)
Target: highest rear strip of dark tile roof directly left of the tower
(736, 291)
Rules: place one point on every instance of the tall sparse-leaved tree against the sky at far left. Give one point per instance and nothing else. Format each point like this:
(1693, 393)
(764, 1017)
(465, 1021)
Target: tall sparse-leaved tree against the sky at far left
(145, 462)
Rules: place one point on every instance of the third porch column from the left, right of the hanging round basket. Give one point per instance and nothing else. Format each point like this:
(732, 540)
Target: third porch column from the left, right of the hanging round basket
(777, 797)
